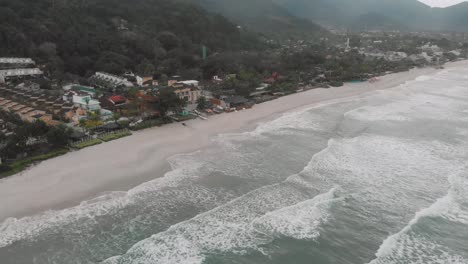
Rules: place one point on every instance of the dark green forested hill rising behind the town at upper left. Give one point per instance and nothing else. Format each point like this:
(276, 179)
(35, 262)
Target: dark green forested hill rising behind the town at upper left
(84, 36)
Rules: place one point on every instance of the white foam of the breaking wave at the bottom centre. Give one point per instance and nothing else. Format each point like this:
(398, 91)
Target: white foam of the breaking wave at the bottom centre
(244, 224)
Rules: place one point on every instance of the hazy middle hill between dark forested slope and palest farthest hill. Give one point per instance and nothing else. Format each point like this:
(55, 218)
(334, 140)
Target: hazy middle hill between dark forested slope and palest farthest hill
(259, 15)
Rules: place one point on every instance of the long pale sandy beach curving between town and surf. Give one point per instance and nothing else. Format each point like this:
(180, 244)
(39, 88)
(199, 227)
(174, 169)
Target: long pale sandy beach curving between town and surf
(122, 164)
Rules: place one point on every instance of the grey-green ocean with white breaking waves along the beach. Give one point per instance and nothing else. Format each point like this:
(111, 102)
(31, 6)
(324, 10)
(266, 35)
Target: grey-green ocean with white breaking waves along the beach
(381, 178)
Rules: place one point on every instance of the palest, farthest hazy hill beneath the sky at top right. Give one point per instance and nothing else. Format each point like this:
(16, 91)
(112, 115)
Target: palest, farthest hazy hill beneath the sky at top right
(378, 14)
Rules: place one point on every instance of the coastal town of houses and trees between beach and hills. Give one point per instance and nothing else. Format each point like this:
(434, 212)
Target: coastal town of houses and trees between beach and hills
(42, 117)
